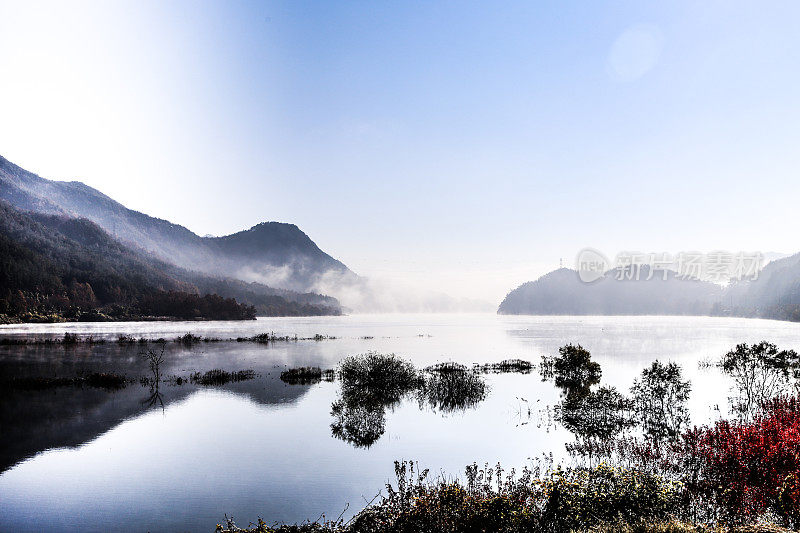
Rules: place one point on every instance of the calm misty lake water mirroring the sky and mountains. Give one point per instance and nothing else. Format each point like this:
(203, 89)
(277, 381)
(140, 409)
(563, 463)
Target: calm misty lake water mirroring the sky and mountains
(89, 459)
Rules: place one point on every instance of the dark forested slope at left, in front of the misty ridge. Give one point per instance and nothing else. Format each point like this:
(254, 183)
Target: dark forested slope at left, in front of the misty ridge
(55, 266)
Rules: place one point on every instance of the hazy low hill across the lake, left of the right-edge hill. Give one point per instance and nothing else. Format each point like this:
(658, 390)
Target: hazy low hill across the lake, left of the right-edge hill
(561, 292)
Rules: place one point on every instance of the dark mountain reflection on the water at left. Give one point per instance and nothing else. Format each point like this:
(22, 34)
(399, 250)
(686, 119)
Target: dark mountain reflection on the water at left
(73, 401)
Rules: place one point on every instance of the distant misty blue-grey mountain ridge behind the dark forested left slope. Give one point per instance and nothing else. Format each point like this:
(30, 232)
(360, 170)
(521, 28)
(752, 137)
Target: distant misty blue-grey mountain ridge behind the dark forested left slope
(273, 253)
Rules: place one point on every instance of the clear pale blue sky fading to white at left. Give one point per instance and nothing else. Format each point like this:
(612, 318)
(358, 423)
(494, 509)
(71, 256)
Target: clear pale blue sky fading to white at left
(463, 147)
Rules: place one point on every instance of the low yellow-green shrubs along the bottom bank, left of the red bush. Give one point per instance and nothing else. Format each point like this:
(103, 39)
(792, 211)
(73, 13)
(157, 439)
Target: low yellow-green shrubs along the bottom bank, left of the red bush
(602, 499)
